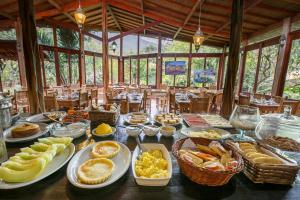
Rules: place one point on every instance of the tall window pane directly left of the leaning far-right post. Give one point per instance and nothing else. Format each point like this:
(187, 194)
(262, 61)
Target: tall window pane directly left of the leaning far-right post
(267, 69)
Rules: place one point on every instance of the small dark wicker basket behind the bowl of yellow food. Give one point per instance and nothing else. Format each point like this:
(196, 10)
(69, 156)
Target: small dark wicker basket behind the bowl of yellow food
(109, 117)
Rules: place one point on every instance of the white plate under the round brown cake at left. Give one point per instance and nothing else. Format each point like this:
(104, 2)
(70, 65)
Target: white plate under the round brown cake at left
(8, 138)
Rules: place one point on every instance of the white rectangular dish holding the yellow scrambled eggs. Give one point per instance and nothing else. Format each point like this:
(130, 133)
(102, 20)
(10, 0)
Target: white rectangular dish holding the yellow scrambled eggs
(152, 181)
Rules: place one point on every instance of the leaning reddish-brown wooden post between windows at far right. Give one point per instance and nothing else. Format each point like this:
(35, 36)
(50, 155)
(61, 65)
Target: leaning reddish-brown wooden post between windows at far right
(282, 59)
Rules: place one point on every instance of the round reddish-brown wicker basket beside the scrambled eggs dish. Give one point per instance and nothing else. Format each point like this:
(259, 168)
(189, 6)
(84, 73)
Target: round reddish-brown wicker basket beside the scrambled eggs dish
(204, 176)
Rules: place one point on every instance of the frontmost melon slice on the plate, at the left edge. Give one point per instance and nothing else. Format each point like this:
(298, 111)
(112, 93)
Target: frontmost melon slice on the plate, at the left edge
(14, 176)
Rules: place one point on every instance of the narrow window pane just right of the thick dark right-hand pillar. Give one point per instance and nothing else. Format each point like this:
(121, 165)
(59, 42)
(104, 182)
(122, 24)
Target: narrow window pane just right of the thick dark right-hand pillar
(250, 69)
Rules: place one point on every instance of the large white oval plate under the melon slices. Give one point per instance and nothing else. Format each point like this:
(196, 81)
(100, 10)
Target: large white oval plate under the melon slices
(58, 161)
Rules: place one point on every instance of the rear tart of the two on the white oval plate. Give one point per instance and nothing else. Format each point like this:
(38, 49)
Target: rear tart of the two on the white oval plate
(105, 149)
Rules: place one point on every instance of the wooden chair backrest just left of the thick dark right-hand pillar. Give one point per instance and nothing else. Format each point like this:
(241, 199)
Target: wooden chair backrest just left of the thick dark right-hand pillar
(200, 105)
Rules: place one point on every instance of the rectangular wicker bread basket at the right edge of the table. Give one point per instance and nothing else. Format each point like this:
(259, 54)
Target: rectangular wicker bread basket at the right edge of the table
(284, 174)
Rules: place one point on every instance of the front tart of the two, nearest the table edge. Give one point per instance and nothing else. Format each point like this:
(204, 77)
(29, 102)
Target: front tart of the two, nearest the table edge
(95, 171)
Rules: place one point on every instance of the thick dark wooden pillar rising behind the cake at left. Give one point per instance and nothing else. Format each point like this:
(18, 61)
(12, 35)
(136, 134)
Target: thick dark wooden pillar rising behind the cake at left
(31, 57)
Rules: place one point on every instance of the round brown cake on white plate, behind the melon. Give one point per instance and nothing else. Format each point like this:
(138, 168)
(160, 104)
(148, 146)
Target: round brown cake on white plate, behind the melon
(25, 130)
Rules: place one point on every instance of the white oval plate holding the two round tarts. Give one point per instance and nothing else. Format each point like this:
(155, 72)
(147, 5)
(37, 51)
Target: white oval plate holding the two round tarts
(121, 160)
